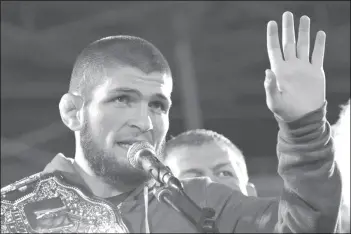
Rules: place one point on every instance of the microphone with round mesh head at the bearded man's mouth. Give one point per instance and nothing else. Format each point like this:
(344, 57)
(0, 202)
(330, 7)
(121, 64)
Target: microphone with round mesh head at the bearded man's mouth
(141, 155)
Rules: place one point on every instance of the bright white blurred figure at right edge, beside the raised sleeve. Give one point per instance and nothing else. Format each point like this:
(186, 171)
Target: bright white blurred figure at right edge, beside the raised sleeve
(341, 134)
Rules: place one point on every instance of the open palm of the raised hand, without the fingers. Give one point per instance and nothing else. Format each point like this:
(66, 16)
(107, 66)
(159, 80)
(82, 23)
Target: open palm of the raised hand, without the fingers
(302, 87)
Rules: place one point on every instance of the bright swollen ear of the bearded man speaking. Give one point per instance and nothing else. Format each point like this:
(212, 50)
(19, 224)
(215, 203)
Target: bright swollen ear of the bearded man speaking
(70, 110)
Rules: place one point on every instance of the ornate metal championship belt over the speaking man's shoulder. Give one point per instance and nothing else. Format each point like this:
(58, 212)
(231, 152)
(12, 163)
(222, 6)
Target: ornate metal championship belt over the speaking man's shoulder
(52, 205)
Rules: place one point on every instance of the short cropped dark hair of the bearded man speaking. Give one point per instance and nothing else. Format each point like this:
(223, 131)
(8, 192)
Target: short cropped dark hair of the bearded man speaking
(116, 51)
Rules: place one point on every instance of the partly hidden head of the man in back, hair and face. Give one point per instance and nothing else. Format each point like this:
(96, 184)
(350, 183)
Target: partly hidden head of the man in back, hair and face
(202, 152)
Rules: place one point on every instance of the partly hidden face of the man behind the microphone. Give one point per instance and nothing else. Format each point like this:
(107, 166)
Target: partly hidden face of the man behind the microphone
(211, 160)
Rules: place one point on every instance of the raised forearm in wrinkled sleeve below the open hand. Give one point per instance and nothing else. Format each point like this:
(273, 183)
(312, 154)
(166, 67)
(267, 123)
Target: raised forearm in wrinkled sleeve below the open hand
(312, 184)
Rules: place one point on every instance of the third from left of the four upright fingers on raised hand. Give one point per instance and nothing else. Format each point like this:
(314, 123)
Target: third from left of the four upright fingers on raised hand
(303, 43)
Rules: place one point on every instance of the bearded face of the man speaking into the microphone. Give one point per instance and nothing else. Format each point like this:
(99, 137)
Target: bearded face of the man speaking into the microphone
(129, 106)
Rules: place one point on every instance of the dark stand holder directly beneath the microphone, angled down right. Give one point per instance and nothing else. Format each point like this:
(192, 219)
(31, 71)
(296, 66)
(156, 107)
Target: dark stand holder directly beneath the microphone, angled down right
(202, 218)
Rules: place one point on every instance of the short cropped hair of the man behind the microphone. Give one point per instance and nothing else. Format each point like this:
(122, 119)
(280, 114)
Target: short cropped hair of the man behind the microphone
(199, 137)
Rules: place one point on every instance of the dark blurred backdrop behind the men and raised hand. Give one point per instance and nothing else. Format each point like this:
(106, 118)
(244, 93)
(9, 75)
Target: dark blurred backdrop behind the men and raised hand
(225, 46)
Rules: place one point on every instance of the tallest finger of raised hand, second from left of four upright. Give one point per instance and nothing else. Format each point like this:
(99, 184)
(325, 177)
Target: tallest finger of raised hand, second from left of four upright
(289, 48)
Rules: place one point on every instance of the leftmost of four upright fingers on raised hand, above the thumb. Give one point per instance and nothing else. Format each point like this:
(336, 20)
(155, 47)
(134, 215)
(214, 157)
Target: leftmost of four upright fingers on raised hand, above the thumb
(273, 46)
